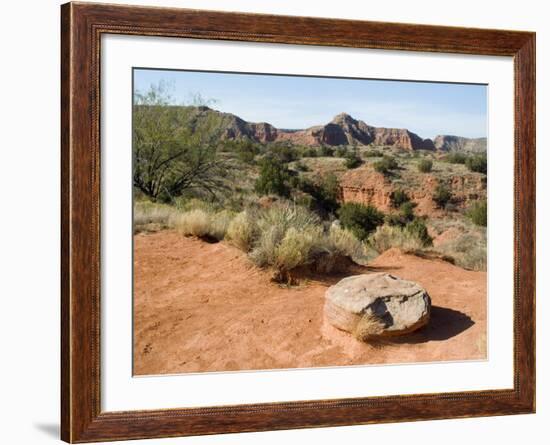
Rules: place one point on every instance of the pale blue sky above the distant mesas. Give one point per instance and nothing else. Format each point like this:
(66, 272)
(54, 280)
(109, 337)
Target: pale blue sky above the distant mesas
(425, 108)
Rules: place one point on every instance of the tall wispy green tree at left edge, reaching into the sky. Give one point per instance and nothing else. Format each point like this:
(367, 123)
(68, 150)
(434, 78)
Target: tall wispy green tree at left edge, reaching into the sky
(168, 158)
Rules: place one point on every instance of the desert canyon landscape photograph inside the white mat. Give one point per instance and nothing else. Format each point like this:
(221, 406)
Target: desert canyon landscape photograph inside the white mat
(296, 221)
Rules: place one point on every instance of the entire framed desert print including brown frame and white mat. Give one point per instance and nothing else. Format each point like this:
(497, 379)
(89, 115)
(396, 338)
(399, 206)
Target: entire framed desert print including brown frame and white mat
(274, 222)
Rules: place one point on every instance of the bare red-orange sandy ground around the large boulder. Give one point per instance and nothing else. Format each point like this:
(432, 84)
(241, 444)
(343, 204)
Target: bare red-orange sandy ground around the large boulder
(203, 307)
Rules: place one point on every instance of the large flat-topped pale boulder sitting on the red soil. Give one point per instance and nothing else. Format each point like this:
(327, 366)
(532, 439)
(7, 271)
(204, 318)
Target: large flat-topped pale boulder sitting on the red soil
(377, 305)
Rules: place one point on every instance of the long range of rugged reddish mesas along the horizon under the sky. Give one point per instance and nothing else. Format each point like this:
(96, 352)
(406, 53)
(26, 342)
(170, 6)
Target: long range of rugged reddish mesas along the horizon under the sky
(342, 130)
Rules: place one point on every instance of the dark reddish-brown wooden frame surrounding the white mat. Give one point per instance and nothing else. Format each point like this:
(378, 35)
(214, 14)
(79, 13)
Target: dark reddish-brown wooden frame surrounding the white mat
(82, 25)
